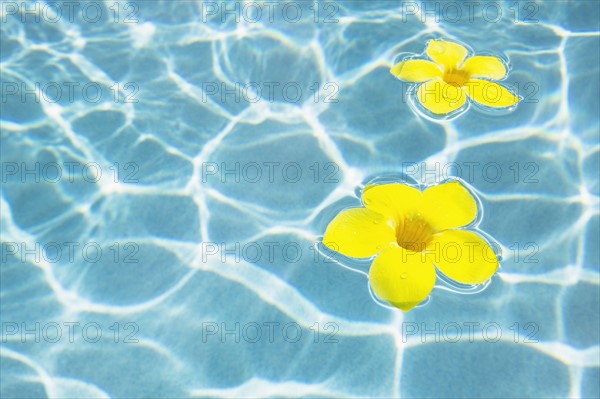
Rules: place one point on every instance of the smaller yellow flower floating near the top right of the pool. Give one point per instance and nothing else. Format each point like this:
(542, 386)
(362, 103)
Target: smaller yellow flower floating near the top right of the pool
(449, 79)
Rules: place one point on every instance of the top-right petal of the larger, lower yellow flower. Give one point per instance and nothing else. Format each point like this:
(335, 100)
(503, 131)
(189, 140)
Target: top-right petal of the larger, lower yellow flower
(449, 205)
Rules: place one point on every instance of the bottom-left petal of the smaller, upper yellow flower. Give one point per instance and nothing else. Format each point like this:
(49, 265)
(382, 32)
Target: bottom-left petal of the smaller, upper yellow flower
(439, 97)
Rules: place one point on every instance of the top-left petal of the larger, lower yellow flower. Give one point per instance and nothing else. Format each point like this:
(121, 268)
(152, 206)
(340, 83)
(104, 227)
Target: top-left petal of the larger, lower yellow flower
(393, 200)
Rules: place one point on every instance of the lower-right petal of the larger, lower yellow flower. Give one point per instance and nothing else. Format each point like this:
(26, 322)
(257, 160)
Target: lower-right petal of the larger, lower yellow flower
(463, 256)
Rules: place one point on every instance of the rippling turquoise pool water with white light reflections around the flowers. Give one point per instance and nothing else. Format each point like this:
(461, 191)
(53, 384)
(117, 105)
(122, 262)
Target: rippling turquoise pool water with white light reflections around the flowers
(159, 235)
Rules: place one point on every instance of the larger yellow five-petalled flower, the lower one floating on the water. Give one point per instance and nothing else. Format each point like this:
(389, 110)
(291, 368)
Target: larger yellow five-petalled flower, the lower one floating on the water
(411, 230)
